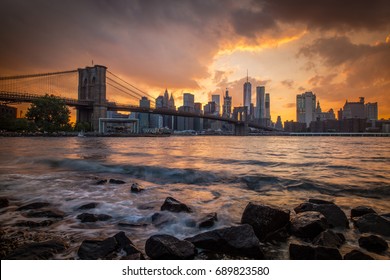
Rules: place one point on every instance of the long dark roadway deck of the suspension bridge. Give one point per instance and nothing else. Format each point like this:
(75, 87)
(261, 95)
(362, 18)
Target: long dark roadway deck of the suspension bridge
(14, 97)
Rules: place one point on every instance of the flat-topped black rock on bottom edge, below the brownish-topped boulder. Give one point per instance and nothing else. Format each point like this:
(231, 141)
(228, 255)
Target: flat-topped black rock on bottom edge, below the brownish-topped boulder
(305, 252)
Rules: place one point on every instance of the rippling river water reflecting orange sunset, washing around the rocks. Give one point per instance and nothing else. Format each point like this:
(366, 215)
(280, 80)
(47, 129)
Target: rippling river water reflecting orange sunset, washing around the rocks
(210, 174)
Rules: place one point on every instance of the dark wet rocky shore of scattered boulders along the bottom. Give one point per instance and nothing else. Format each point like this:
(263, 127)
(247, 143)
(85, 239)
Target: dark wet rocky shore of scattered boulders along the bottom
(315, 229)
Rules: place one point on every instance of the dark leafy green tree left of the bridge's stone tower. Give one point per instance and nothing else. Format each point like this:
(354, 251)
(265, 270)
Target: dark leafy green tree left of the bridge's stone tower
(50, 114)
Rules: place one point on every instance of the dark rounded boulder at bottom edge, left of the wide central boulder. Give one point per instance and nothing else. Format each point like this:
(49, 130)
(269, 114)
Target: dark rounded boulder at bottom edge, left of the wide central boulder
(167, 247)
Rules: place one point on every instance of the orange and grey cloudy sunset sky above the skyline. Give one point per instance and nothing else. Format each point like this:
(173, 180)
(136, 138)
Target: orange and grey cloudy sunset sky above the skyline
(339, 49)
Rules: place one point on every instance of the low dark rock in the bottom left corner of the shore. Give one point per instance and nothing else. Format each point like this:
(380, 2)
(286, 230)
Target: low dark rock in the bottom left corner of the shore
(37, 251)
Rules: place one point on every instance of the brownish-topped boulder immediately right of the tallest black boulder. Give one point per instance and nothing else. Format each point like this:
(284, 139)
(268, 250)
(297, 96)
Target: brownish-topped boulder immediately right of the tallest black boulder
(308, 224)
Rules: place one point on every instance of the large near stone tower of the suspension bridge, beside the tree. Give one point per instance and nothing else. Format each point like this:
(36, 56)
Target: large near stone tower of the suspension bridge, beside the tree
(92, 88)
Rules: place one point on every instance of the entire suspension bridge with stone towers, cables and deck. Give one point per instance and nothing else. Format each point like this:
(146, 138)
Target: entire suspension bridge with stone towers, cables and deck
(91, 91)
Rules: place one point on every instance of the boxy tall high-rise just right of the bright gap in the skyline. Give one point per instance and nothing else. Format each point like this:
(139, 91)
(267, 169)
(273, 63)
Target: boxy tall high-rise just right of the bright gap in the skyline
(306, 107)
